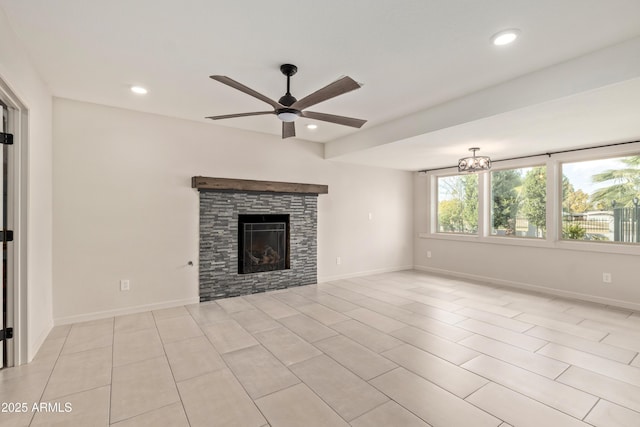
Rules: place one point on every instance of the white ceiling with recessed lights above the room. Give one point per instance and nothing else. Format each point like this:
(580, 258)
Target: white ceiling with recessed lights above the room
(411, 55)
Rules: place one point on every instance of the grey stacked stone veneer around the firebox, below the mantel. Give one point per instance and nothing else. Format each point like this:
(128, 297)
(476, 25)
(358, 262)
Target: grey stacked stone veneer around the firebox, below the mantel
(219, 212)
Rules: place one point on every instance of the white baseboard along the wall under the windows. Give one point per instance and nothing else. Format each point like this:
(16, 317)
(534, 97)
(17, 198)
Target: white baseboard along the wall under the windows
(531, 287)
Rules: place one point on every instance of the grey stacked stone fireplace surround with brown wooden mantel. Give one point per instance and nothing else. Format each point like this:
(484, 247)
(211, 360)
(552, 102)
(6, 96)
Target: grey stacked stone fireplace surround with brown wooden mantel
(256, 236)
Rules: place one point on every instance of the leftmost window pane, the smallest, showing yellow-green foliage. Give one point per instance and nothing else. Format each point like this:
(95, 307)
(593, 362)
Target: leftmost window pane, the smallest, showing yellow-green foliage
(458, 204)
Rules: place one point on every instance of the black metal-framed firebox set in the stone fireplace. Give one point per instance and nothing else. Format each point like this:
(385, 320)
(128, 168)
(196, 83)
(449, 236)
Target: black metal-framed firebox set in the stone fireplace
(263, 243)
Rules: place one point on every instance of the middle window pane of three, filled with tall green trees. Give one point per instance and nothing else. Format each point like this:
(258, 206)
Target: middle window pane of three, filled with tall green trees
(518, 202)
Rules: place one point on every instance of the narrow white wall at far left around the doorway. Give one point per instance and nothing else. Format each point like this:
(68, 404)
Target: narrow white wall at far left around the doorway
(18, 73)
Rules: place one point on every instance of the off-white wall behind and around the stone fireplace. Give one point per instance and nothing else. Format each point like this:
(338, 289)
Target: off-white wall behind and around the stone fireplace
(124, 208)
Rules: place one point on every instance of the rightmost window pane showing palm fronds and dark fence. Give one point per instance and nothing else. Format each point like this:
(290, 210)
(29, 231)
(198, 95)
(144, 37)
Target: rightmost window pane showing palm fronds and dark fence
(600, 200)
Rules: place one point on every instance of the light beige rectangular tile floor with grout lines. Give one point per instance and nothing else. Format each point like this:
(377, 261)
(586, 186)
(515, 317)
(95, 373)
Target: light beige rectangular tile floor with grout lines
(396, 349)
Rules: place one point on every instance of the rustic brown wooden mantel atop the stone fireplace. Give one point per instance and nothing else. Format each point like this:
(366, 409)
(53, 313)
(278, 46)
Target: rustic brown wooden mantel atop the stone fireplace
(204, 183)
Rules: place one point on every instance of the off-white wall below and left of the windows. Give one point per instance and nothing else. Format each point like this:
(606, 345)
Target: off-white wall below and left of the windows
(556, 269)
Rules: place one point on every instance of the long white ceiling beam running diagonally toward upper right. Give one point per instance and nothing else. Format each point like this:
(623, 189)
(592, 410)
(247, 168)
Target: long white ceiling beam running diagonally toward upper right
(614, 64)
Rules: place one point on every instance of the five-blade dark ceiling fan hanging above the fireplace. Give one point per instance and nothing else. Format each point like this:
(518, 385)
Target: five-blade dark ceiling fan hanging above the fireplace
(288, 108)
